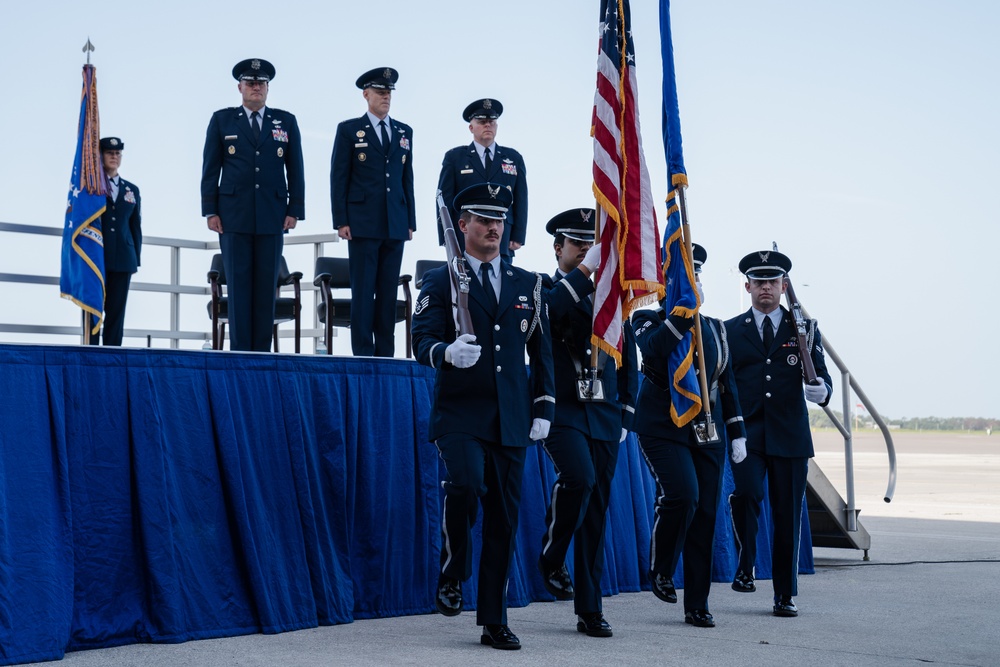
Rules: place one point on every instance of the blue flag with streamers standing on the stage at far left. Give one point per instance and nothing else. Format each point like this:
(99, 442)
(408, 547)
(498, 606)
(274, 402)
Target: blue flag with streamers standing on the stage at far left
(82, 277)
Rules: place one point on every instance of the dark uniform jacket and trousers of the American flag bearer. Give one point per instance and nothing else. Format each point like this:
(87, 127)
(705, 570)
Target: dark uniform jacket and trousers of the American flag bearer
(583, 441)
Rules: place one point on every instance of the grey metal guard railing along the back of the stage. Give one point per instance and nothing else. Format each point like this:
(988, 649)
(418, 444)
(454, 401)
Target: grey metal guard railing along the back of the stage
(174, 287)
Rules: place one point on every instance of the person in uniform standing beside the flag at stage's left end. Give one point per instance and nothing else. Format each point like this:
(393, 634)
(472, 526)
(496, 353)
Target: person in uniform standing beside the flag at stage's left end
(121, 224)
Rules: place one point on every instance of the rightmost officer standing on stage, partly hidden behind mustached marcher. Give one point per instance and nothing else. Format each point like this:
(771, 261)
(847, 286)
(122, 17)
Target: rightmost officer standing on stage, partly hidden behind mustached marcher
(486, 161)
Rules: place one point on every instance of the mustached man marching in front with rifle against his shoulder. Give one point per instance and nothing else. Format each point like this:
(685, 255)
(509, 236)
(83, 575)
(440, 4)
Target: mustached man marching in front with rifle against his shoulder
(487, 409)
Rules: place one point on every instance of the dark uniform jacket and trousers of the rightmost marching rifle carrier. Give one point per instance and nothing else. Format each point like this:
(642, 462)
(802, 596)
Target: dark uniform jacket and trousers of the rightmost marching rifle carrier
(779, 443)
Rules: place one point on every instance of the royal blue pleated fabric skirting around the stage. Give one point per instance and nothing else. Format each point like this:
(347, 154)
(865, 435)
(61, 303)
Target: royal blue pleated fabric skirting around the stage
(164, 495)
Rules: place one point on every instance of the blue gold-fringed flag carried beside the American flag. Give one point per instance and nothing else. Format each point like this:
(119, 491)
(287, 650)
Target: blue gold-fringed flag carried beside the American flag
(678, 269)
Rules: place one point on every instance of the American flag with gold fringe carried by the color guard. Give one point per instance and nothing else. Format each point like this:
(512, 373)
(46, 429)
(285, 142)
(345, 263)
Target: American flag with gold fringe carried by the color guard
(629, 276)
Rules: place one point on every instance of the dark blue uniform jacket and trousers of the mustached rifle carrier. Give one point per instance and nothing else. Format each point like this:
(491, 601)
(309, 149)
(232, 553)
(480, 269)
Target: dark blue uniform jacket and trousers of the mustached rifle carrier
(481, 417)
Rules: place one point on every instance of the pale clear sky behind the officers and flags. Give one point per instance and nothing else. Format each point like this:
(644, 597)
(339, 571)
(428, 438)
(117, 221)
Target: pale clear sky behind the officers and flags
(862, 136)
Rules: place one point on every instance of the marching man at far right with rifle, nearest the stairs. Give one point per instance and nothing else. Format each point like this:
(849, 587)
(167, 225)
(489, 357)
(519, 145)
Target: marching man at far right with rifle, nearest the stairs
(766, 359)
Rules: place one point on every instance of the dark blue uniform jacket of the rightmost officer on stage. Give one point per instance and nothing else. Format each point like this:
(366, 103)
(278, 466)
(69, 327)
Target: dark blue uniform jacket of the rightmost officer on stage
(462, 168)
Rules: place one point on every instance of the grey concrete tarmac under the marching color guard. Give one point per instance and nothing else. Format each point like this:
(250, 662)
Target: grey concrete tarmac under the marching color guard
(929, 594)
